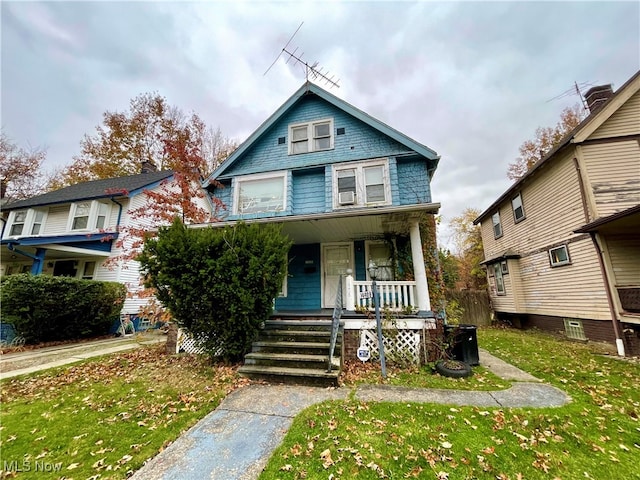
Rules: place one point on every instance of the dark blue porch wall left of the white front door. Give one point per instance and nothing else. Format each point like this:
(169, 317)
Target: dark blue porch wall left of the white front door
(303, 281)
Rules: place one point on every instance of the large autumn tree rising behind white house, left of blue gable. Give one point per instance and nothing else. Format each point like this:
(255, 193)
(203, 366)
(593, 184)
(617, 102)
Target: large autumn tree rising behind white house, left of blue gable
(127, 139)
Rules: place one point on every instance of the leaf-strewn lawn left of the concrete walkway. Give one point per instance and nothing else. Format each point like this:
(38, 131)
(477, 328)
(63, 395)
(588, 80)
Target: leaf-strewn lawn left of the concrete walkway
(103, 418)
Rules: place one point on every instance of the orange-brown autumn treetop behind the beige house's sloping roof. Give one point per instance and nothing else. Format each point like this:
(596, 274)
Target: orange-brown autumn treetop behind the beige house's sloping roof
(532, 151)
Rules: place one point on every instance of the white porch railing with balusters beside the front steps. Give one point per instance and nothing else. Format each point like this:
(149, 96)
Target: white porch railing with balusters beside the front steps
(395, 296)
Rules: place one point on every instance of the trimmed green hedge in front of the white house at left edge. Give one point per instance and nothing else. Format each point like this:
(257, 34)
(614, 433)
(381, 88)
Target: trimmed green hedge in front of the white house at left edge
(43, 308)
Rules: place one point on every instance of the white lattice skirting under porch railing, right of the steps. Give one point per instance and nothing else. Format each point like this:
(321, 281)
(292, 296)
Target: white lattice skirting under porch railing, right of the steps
(399, 345)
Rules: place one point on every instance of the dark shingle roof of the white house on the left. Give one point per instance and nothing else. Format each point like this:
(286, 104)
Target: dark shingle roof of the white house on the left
(92, 190)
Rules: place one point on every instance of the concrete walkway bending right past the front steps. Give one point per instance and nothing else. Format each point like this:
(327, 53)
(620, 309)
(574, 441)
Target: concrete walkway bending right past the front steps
(235, 441)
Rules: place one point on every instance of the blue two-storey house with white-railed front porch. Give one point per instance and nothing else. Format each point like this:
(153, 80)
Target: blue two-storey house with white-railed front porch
(349, 191)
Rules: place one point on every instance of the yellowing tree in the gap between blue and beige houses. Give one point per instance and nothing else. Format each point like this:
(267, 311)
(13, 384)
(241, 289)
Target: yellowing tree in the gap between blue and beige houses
(470, 252)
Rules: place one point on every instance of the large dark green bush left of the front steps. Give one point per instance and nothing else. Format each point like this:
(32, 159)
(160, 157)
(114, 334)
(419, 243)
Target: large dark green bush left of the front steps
(218, 283)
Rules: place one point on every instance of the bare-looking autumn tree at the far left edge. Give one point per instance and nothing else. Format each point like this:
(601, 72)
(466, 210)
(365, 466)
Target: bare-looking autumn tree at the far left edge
(20, 169)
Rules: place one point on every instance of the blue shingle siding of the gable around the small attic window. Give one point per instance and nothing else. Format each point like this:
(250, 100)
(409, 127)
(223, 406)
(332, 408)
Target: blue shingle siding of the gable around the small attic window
(360, 141)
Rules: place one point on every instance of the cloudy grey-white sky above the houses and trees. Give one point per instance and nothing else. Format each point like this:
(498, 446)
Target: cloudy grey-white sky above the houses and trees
(471, 80)
